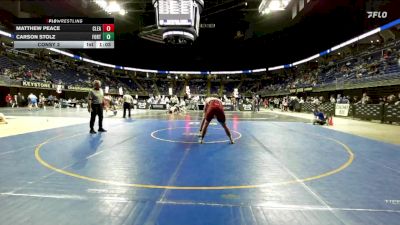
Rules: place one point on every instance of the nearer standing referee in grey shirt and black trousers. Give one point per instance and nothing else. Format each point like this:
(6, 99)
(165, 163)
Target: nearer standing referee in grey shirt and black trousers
(95, 106)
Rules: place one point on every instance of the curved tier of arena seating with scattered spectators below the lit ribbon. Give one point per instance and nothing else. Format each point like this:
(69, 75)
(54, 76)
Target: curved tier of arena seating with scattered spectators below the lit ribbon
(366, 66)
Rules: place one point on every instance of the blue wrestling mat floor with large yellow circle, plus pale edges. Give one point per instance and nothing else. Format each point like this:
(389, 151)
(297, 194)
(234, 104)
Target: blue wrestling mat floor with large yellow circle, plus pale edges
(151, 170)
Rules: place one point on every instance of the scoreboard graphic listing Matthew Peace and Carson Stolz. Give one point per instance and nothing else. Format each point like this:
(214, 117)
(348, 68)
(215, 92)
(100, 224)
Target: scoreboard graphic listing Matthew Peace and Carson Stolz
(95, 33)
